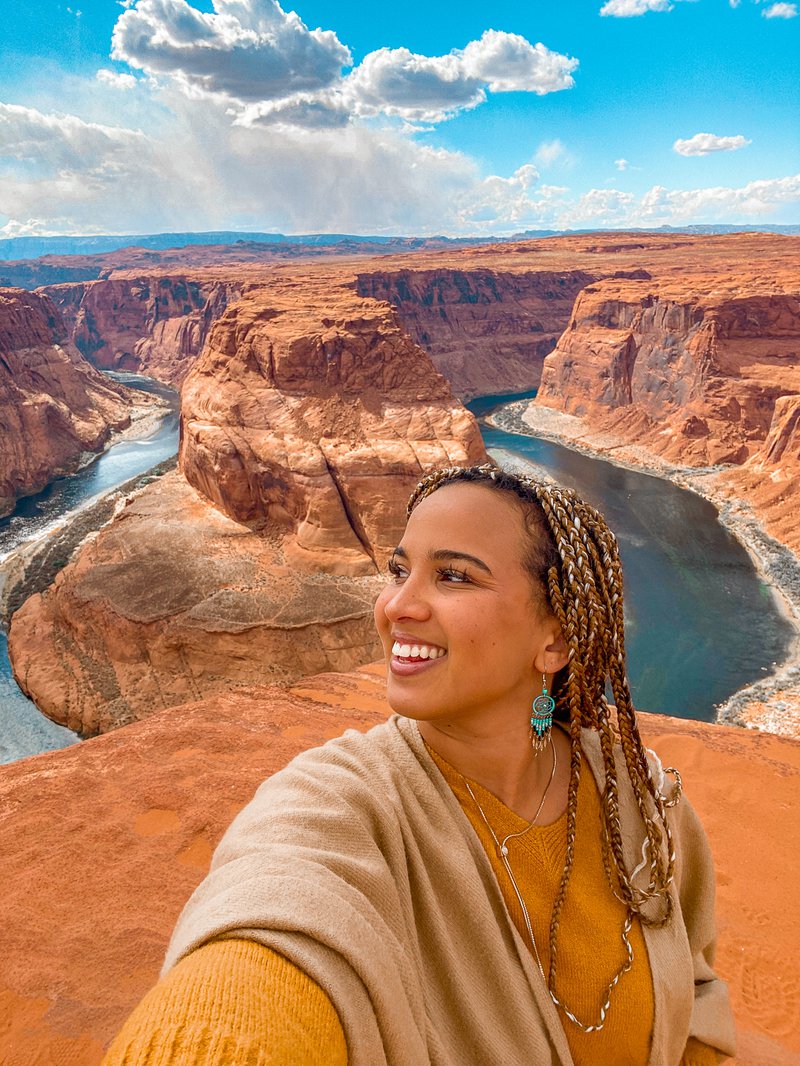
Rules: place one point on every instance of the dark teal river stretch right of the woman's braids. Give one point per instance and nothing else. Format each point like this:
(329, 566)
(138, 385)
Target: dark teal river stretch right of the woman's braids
(700, 623)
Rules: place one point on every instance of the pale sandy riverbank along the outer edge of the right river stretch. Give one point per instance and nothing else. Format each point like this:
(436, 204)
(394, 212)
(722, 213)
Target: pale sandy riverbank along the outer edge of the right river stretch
(772, 704)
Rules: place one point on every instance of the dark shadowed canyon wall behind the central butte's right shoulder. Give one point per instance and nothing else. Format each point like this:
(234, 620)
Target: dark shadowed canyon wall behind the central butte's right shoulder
(487, 331)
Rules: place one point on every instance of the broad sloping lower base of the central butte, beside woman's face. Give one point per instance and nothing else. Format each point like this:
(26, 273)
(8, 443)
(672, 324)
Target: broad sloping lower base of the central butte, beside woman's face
(175, 602)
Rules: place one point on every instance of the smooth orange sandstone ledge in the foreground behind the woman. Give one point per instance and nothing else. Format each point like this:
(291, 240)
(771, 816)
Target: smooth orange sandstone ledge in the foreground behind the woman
(104, 843)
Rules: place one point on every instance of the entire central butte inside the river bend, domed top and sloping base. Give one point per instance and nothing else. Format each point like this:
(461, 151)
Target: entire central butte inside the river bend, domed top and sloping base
(305, 426)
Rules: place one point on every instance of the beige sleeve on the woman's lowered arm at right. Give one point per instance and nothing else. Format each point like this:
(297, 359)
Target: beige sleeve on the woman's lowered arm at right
(712, 1021)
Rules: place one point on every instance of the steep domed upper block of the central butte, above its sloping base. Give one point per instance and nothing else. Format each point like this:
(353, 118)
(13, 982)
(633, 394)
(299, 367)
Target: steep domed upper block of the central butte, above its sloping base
(318, 416)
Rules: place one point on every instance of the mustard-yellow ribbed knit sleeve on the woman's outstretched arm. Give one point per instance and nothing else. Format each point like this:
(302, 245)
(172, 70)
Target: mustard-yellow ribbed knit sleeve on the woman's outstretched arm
(232, 1002)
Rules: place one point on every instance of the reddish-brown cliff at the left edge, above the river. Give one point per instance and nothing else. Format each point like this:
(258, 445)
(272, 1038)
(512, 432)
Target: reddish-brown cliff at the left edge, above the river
(55, 409)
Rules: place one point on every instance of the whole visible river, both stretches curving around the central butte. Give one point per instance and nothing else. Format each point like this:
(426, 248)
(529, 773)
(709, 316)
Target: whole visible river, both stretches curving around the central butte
(700, 622)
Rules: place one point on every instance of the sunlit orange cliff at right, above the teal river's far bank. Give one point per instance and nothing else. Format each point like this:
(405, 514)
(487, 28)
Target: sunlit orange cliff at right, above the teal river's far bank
(694, 377)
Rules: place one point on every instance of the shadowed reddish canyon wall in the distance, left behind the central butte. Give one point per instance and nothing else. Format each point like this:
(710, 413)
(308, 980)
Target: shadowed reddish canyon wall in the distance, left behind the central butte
(150, 325)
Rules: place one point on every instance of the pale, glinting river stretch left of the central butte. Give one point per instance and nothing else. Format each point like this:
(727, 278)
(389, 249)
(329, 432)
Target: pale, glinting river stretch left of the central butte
(24, 730)
